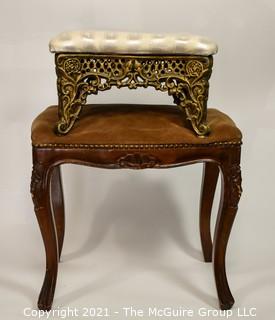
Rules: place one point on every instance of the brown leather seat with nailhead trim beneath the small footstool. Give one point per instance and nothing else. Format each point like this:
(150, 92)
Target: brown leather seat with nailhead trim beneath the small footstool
(121, 124)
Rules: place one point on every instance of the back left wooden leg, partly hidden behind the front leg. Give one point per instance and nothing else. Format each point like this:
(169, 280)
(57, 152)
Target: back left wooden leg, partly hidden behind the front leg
(58, 206)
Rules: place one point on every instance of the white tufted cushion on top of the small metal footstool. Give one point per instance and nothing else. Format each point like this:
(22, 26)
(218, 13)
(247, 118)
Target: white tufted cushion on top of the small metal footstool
(132, 43)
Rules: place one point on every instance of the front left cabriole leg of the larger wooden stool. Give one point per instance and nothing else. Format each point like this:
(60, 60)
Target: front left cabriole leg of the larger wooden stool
(40, 189)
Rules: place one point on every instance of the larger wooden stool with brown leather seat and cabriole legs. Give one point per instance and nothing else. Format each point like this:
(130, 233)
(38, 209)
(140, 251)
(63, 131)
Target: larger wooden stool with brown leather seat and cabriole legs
(136, 137)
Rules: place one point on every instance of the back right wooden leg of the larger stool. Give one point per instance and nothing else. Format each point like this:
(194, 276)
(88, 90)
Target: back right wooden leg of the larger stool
(209, 183)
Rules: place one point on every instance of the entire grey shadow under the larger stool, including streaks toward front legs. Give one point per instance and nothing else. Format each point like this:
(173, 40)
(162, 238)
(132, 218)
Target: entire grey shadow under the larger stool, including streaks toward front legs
(142, 216)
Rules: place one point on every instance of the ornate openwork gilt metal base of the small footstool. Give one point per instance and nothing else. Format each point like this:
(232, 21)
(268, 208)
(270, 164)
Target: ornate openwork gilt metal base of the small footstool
(186, 78)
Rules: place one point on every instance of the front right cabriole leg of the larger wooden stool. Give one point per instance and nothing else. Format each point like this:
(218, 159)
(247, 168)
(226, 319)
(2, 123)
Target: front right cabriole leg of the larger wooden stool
(231, 193)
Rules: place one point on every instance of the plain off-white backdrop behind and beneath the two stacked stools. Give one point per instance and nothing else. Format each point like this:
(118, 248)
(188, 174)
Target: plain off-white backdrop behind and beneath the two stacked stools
(126, 229)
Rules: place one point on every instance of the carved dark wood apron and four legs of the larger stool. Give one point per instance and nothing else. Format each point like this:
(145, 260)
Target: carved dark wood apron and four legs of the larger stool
(226, 157)
